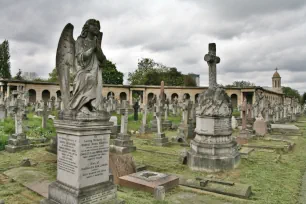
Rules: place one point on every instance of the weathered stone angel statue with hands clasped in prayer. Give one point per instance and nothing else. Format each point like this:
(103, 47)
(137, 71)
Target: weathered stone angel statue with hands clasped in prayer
(81, 61)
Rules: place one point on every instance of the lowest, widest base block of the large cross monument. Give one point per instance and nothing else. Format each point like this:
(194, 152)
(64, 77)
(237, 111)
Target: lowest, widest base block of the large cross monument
(210, 163)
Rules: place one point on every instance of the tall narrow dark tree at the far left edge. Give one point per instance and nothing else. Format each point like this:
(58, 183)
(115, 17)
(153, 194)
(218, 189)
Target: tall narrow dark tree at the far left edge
(5, 65)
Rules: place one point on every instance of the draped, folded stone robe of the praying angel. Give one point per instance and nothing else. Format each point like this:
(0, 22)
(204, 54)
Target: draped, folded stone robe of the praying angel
(87, 84)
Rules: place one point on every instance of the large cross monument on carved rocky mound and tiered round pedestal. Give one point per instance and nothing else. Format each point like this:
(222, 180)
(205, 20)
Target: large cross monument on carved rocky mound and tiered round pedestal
(213, 148)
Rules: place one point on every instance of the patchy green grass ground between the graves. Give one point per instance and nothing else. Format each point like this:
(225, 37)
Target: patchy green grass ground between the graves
(274, 174)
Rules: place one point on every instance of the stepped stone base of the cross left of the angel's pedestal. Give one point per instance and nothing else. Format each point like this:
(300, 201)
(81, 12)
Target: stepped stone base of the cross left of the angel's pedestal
(17, 142)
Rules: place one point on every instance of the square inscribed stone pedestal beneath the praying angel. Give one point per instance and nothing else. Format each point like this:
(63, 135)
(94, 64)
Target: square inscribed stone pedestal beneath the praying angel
(82, 164)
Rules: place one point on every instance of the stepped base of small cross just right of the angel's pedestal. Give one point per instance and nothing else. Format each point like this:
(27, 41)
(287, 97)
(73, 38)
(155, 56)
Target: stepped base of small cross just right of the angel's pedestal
(123, 144)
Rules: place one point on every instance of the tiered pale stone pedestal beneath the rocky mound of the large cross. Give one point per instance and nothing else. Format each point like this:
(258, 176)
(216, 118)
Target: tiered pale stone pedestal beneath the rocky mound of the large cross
(213, 149)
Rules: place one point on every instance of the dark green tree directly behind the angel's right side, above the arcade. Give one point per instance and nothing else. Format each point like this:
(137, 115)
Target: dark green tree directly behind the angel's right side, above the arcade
(110, 74)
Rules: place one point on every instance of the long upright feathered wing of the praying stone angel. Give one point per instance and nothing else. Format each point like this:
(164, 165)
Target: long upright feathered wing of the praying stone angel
(65, 61)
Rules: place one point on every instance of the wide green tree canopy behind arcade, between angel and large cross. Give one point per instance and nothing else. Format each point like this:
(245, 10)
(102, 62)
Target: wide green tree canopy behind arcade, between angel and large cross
(149, 72)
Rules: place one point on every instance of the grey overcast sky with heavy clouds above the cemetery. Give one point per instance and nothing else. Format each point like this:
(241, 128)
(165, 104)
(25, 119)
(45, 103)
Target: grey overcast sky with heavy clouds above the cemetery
(252, 37)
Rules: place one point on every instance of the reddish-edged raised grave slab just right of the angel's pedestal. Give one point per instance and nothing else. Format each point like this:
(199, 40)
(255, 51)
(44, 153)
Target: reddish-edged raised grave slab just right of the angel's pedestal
(148, 180)
